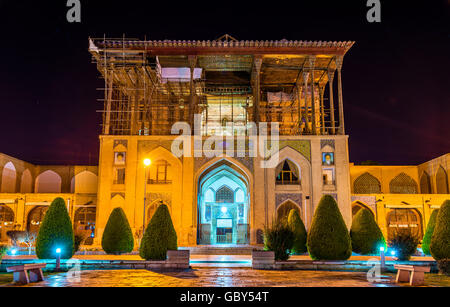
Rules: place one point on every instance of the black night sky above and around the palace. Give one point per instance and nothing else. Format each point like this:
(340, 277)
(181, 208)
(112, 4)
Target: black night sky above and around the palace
(395, 78)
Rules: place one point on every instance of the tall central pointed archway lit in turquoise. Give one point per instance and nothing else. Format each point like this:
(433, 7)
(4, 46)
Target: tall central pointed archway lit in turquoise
(223, 205)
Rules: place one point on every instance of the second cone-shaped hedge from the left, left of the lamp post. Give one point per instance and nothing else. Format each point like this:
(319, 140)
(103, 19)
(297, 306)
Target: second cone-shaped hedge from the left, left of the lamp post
(117, 237)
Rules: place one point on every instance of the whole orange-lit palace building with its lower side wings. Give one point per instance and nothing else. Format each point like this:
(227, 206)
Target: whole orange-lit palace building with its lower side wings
(238, 171)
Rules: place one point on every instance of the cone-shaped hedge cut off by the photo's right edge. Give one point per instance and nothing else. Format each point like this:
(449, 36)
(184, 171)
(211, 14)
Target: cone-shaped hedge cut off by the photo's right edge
(440, 241)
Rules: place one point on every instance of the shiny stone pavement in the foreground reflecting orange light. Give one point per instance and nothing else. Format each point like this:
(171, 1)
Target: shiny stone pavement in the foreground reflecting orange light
(209, 277)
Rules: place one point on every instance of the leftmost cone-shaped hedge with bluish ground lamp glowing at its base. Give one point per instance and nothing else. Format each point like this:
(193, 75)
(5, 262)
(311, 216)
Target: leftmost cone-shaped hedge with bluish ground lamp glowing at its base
(55, 232)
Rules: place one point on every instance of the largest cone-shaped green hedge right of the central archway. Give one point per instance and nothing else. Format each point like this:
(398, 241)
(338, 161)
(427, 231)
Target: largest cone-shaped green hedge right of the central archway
(328, 238)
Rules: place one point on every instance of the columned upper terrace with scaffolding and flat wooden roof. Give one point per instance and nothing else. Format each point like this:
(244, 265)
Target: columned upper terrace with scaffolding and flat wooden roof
(150, 85)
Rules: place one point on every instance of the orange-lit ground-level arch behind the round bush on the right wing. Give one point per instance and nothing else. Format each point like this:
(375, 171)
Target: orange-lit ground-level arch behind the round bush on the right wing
(404, 220)
